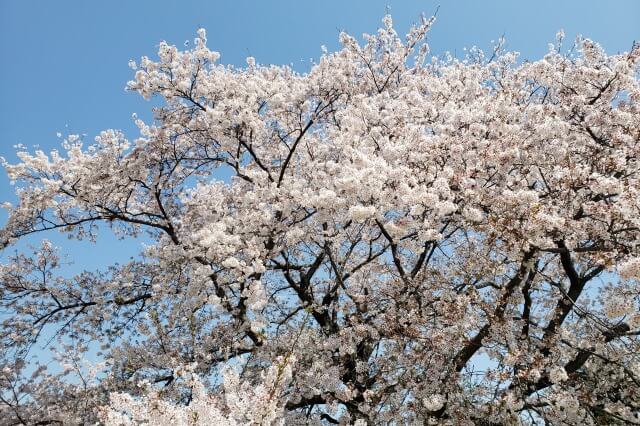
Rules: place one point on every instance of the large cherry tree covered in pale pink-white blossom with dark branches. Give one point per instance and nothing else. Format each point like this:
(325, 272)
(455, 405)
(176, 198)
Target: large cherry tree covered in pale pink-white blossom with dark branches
(401, 239)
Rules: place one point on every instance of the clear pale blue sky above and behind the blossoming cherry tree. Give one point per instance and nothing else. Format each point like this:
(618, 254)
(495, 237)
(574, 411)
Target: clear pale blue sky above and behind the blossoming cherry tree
(63, 64)
